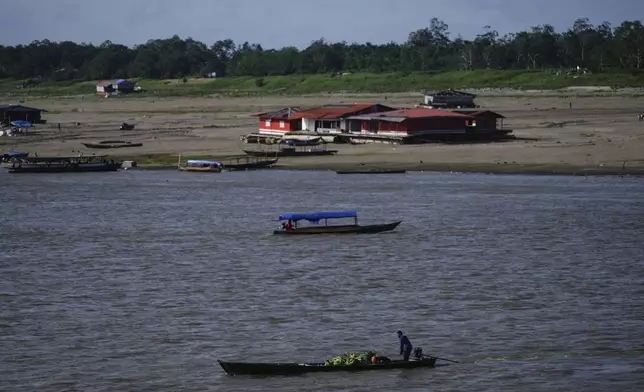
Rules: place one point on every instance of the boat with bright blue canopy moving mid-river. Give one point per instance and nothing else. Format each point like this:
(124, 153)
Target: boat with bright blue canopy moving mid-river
(291, 224)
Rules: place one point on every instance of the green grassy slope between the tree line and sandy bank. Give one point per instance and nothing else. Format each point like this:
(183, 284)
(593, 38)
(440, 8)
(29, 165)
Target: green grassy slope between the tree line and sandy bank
(353, 83)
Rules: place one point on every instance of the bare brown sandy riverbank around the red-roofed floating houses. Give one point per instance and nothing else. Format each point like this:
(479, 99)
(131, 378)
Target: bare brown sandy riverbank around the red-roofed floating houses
(597, 135)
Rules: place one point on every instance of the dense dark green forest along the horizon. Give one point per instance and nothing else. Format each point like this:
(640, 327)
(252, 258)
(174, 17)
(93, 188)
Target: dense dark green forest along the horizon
(430, 49)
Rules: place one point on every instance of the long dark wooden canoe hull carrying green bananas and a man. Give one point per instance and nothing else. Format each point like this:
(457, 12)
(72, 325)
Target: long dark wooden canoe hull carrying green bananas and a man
(248, 368)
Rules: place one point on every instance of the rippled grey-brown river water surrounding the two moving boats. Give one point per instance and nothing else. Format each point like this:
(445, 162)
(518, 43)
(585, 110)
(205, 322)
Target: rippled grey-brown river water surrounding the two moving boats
(141, 280)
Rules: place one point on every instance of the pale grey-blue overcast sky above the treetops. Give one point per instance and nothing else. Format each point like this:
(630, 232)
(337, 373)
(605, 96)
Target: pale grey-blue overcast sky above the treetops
(277, 23)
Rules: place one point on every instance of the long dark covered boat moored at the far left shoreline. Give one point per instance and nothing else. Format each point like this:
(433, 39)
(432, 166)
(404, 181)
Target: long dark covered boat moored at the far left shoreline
(80, 163)
